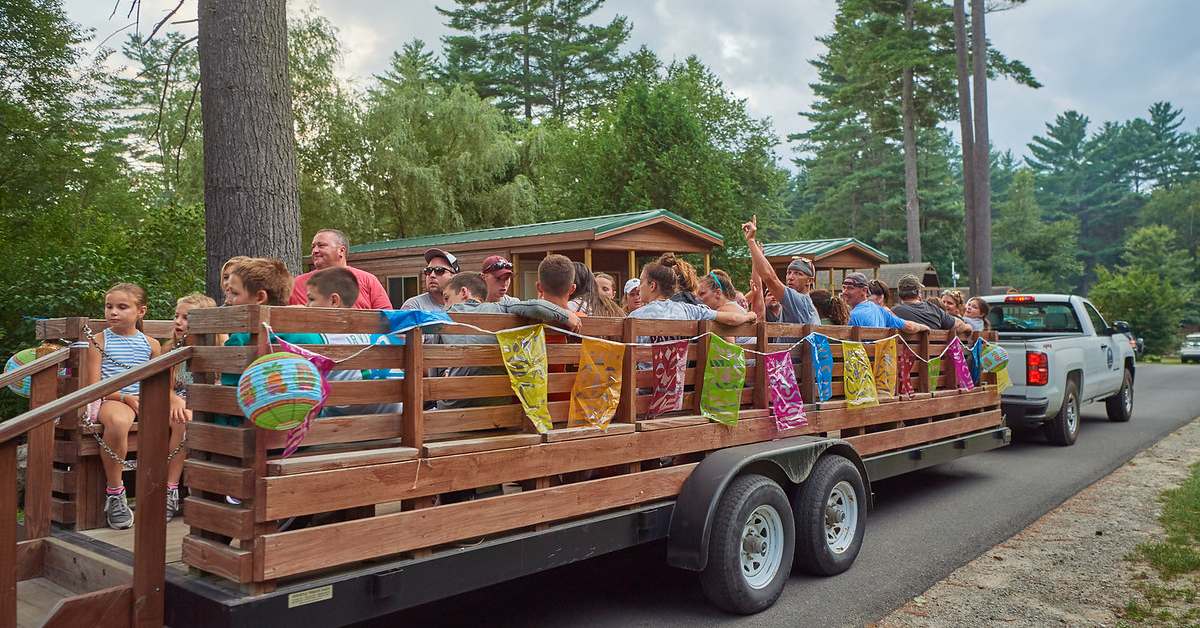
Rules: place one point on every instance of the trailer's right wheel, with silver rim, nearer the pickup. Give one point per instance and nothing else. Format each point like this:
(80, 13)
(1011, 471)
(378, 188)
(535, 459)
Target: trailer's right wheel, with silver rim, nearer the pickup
(831, 517)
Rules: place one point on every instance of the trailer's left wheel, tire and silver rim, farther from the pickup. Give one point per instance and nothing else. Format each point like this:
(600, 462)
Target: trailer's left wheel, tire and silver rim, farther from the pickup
(752, 547)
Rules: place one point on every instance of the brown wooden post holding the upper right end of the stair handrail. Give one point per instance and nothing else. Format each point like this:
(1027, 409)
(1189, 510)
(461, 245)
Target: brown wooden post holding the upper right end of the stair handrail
(151, 527)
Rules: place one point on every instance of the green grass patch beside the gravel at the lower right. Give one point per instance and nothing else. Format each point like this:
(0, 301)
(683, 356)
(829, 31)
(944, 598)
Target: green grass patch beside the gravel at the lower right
(1171, 599)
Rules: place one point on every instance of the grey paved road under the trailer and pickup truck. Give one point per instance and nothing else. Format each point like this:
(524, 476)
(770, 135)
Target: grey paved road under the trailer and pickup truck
(923, 528)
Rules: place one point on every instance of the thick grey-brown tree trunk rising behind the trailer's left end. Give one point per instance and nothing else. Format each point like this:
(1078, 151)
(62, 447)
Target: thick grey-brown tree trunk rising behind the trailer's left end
(251, 200)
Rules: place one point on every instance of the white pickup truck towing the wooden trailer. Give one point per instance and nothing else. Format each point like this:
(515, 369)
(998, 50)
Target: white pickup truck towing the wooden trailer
(1061, 354)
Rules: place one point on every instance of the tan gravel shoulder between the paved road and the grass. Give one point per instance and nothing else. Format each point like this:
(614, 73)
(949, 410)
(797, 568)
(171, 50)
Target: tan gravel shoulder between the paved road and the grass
(1071, 567)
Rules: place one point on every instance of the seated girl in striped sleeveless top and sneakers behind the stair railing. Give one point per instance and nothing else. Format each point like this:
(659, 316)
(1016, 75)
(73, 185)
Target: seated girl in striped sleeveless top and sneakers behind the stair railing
(121, 348)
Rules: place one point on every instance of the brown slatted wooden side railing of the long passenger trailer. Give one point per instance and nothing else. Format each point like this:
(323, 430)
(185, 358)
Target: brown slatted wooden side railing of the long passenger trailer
(369, 483)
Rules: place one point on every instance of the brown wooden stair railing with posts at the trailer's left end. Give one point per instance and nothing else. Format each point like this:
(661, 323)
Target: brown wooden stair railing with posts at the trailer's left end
(151, 528)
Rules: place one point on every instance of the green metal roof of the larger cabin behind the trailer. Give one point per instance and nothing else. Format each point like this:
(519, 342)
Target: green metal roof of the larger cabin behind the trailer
(598, 225)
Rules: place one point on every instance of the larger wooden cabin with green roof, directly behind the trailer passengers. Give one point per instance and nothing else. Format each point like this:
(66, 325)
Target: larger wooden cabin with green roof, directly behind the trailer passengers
(616, 244)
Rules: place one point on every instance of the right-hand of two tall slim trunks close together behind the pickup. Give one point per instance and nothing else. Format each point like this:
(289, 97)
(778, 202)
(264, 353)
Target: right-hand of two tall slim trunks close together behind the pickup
(981, 278)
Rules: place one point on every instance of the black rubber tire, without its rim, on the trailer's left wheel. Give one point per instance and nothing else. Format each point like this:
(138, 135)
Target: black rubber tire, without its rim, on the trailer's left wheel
(722, 581)
